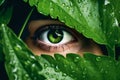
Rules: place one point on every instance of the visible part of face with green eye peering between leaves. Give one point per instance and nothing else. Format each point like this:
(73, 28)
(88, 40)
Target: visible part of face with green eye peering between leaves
(51, 36)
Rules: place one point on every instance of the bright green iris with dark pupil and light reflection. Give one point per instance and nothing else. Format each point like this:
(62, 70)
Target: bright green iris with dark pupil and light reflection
(55, 36)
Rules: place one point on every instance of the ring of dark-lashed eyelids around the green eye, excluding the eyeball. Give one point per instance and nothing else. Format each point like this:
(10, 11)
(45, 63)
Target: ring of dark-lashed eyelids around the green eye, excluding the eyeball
(52, 48)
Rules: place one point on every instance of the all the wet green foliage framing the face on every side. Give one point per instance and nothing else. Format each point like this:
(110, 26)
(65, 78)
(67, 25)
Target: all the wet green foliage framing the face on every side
(96, 19)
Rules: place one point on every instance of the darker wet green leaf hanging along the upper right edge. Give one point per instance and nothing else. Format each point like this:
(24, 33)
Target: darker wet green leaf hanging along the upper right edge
(110, 23)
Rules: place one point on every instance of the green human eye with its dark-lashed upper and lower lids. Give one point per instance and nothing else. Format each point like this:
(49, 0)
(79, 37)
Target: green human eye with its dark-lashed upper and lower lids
(54, 38)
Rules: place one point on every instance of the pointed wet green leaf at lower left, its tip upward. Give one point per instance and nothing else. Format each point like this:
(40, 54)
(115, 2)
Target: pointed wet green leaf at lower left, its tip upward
(18, 59)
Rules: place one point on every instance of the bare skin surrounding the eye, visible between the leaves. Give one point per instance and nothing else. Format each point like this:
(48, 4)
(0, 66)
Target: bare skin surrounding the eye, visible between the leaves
(78, 47)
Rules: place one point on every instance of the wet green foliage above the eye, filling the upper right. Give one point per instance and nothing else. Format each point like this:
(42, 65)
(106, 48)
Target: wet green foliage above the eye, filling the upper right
(96, 19)
